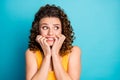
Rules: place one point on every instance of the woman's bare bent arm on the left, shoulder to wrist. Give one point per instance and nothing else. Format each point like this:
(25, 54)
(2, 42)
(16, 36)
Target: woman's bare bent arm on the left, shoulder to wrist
(31, 67)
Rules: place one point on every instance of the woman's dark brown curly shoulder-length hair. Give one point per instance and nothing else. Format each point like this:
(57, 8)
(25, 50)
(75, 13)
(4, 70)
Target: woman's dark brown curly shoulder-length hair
(67, 30)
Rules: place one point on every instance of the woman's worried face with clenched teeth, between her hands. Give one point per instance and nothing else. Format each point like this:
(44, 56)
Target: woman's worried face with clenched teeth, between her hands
(50, 27)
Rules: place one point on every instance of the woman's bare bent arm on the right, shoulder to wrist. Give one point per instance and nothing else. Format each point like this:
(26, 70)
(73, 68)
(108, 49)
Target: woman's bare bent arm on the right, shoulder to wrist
(74, 65)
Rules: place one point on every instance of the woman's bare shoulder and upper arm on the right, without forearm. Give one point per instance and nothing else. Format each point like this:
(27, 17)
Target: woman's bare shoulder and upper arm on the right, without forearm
(74, 65)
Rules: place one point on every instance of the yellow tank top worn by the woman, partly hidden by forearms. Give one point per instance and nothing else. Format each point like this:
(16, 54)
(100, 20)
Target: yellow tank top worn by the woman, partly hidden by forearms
(51, 74)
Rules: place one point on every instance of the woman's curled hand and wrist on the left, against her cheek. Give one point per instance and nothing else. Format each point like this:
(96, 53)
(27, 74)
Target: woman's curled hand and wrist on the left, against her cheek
(46, 48)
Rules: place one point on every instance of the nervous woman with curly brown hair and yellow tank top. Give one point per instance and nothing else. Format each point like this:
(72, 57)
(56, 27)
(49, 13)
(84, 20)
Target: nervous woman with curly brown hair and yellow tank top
(50, 55)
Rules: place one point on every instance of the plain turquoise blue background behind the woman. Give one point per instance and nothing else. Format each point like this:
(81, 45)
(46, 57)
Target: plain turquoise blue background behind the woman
(97, 29)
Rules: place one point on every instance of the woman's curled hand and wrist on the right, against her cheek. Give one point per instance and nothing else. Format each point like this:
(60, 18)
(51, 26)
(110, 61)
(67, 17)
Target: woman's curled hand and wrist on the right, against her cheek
(57, 44)
